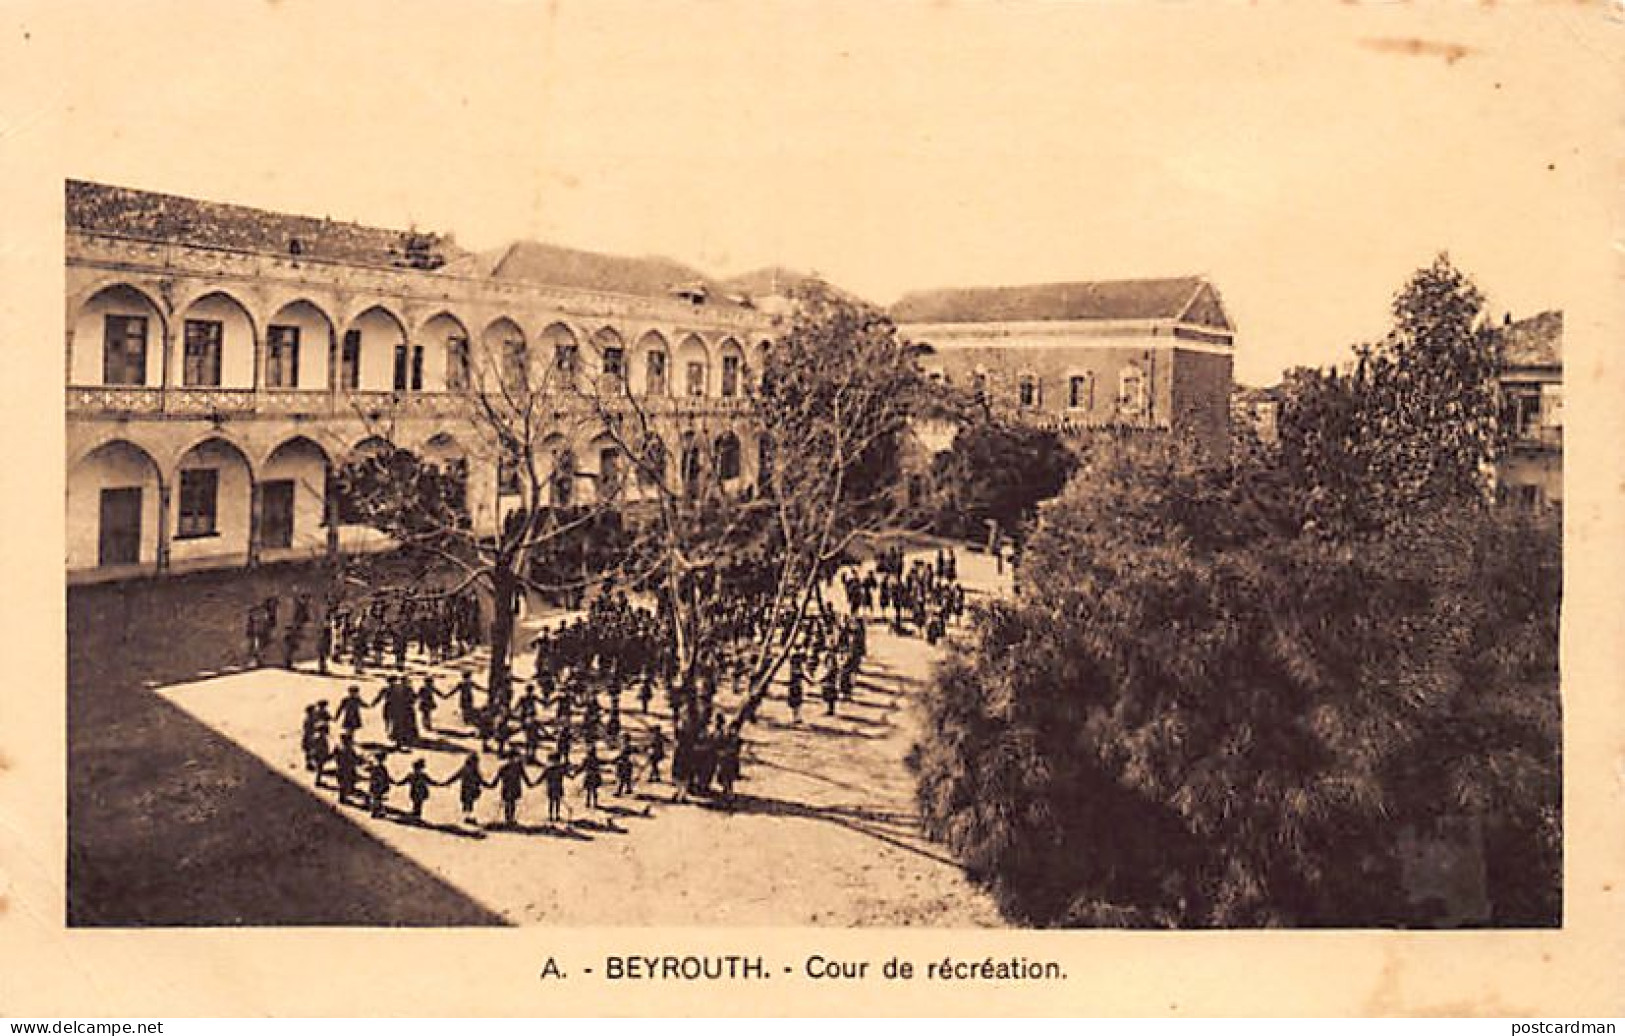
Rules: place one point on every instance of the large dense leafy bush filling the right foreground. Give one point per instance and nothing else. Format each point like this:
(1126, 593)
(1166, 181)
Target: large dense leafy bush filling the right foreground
(1197, 714)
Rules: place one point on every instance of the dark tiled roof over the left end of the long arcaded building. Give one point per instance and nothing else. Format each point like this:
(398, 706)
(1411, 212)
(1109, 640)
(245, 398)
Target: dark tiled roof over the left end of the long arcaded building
(173, 218)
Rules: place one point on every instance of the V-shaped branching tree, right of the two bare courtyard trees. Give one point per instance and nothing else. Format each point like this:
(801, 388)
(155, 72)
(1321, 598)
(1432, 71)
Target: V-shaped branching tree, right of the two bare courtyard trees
(830, 415)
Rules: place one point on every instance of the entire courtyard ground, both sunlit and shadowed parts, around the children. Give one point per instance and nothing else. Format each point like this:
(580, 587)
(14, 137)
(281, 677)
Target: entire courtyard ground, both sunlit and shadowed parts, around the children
(823, 834)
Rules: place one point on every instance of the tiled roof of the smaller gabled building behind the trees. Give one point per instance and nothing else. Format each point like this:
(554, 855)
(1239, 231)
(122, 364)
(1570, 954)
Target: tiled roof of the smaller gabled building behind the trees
(1148, 300)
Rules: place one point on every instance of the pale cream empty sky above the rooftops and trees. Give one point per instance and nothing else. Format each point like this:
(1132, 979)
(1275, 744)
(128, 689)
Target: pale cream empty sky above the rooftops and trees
(1304, 158)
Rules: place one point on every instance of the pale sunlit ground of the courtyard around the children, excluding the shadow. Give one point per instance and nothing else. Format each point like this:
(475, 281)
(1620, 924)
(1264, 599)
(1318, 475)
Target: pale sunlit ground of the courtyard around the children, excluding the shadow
(825, 832)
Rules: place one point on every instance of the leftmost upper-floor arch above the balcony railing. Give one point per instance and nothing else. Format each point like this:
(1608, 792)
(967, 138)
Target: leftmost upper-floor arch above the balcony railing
(118, 339)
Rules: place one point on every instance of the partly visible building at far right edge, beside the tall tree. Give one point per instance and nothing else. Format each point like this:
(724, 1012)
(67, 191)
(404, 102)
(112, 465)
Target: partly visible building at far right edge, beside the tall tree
(1530, 473)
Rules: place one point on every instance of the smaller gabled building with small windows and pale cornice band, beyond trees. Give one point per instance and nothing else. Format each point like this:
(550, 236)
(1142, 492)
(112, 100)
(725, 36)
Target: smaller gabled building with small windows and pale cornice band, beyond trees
(1130, 355)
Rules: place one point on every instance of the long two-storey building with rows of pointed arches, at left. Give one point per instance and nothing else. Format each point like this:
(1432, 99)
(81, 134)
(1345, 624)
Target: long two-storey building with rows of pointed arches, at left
(223, 361)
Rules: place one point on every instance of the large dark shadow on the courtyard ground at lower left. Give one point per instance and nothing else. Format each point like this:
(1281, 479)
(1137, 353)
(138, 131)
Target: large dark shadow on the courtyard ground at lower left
(171, 824)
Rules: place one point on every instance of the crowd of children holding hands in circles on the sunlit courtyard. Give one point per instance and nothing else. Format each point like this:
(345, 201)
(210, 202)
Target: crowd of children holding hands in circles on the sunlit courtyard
(615, 649)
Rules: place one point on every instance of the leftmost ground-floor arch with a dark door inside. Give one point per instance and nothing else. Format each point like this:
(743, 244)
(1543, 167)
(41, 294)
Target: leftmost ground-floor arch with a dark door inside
(115, 506)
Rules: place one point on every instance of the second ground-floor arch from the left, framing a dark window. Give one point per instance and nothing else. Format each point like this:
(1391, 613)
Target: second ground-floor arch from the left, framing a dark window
(212, 501)
